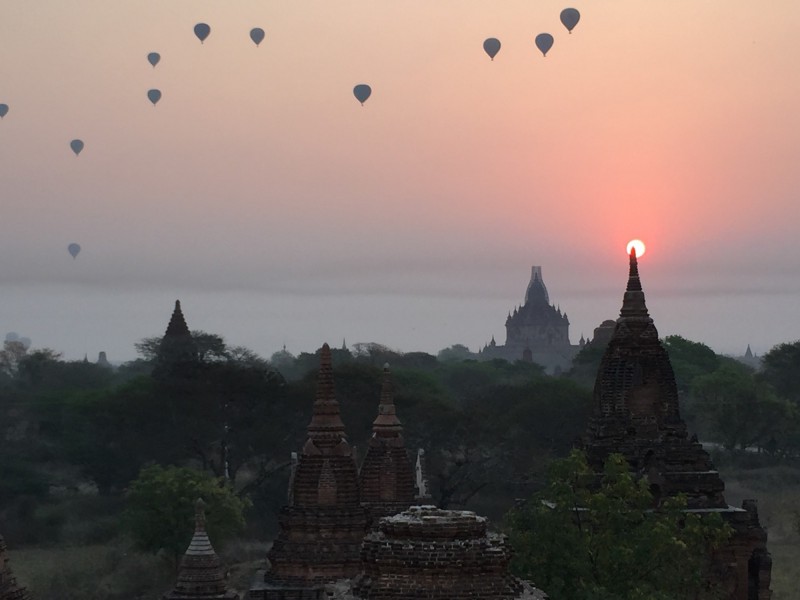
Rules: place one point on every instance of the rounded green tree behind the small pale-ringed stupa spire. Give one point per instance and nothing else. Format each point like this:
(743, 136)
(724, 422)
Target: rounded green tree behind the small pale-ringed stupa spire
(159, 513)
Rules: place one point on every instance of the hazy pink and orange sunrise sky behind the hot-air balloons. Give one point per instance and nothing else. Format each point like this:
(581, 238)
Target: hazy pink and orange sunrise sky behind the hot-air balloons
(280, 211)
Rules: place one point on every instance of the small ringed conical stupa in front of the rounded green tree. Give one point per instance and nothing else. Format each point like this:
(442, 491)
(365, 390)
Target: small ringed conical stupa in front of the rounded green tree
(200, 573)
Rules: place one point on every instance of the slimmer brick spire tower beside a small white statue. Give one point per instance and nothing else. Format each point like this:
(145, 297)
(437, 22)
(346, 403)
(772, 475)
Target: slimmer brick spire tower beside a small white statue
(386, 477)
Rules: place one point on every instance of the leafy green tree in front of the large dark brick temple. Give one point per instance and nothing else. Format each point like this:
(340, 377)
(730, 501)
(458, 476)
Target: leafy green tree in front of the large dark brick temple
(578, 540)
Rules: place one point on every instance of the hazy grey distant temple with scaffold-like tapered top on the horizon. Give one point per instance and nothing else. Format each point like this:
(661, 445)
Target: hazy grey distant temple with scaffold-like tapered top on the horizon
(535, 332)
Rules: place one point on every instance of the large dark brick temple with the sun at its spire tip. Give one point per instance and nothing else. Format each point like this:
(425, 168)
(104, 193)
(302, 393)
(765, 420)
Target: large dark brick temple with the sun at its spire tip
(636, 414)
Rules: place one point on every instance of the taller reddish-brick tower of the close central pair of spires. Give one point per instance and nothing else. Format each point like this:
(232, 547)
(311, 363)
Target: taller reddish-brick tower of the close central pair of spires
(322, 528)
